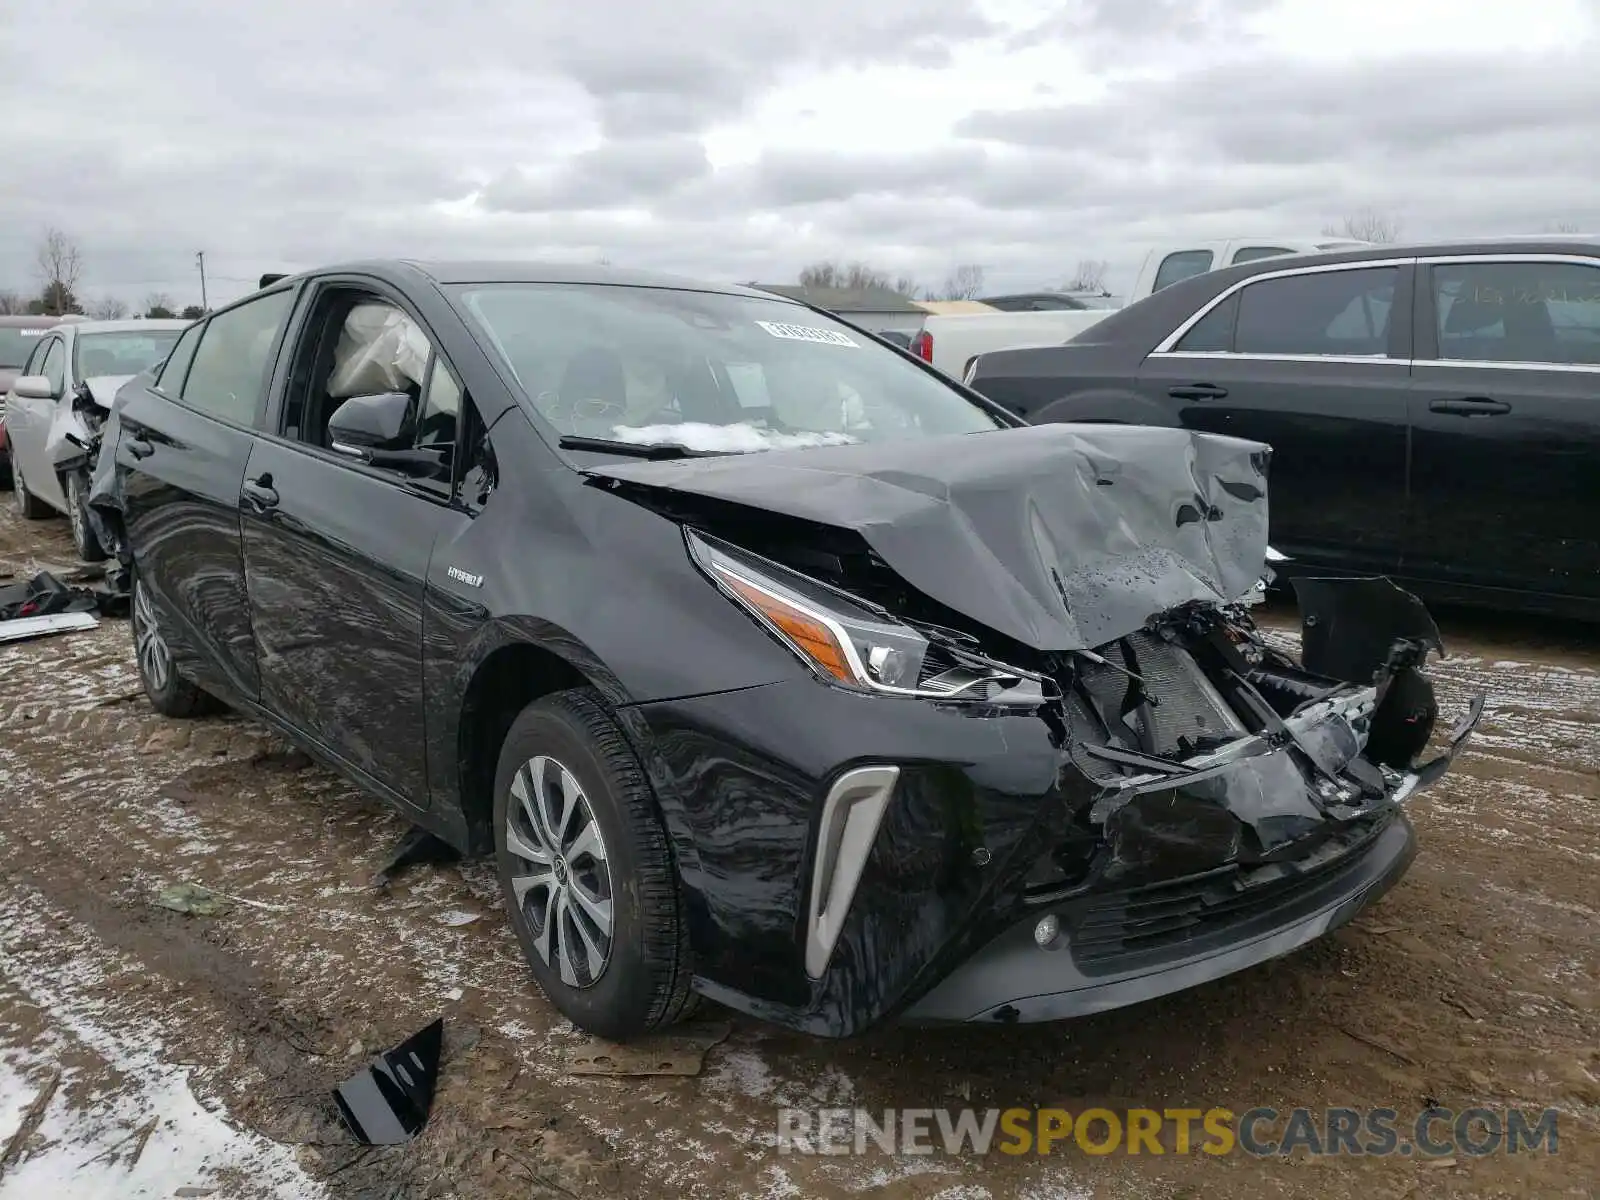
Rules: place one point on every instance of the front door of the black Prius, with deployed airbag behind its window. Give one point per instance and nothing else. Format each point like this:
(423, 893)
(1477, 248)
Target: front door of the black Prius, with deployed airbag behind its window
(337, 558)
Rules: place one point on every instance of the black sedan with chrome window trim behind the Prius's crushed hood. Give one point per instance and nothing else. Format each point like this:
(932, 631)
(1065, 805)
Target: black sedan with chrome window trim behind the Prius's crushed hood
(1434, 412)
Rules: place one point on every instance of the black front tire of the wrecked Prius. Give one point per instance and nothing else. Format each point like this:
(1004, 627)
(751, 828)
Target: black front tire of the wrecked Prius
(644, 978)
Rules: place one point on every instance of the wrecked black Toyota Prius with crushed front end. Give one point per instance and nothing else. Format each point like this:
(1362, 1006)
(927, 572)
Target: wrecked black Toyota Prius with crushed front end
(769, 663)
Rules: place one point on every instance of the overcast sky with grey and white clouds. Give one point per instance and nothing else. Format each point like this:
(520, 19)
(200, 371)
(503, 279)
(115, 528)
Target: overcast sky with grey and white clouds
(746, 138)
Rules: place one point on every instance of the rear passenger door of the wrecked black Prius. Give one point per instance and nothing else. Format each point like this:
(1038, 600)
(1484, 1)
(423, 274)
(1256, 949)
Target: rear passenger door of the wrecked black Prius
(182, 457)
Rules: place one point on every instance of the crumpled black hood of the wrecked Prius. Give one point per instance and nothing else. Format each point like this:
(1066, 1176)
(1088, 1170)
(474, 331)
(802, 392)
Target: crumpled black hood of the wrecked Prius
(1058, 537)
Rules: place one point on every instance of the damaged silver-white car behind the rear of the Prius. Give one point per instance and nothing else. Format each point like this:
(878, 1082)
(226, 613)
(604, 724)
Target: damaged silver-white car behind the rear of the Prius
(60, 401)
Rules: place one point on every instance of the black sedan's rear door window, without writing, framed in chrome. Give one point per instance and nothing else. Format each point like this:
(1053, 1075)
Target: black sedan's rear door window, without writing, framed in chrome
(1329, 313)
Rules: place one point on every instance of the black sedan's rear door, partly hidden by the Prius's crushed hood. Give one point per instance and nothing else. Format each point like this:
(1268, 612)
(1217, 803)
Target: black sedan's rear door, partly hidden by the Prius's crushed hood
(1311, 362)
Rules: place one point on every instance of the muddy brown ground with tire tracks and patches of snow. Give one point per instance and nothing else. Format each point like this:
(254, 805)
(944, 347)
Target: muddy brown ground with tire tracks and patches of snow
(180, 1052)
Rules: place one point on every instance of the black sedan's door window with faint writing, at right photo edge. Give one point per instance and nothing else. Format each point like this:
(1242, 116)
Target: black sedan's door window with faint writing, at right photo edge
(1522, 313)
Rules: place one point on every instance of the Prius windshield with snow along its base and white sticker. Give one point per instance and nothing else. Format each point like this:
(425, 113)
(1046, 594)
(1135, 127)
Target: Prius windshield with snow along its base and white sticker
(708, 372)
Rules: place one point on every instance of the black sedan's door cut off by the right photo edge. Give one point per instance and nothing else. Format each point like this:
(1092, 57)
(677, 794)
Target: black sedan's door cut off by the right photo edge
(1506, 425)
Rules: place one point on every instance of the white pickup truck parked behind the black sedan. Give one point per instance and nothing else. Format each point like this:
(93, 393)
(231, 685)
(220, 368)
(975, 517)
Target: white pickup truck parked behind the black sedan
(951, 342)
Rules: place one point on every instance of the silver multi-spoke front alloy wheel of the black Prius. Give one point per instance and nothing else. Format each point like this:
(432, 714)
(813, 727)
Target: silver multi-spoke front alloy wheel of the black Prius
(562, 881)
